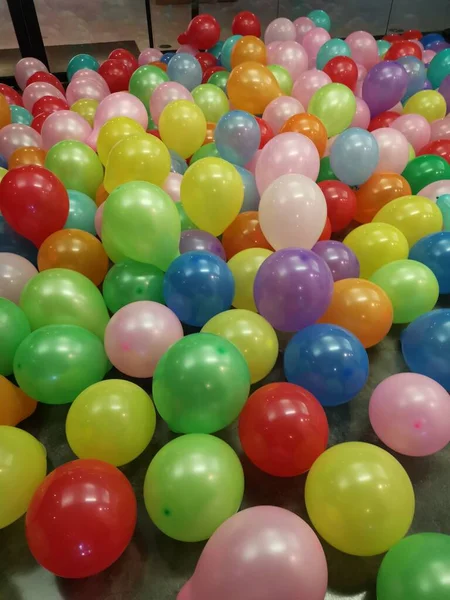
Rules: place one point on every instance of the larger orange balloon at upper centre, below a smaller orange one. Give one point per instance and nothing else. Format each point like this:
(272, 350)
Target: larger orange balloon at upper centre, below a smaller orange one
(251, 87)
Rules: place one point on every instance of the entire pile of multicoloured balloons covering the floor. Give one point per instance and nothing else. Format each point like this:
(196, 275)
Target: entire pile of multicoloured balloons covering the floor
(170, 215)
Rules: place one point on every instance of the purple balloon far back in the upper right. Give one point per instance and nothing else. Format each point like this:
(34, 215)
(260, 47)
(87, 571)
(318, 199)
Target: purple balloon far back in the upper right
(385, 85)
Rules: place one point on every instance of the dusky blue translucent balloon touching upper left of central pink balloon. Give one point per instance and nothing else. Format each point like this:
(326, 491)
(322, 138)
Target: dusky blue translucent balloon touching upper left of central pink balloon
(237, 137)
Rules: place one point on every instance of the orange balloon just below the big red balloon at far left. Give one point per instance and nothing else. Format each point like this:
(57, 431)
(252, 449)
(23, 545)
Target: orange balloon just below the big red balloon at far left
(76, 250)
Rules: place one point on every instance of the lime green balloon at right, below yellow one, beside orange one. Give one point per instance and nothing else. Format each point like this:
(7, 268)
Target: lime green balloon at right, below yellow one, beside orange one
(411, 286)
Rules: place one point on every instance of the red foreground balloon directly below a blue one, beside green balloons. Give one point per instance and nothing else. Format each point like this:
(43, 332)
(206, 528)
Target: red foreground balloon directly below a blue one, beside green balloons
(283, 429)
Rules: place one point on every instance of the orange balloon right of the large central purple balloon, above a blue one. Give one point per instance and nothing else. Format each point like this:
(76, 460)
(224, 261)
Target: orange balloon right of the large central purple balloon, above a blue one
(361, 307)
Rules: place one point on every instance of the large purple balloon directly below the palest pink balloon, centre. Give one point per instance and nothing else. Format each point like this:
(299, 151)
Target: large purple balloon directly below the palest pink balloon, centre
(293, 288)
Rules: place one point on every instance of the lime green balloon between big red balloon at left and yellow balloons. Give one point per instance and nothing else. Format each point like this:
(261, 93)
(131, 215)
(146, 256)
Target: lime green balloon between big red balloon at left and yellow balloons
(76, 165)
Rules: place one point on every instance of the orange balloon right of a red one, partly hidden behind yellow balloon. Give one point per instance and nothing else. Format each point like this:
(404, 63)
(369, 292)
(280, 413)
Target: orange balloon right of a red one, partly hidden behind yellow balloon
(378, 190)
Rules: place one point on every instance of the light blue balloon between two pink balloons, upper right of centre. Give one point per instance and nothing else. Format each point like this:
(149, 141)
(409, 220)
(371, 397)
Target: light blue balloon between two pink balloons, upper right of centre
(354, 156)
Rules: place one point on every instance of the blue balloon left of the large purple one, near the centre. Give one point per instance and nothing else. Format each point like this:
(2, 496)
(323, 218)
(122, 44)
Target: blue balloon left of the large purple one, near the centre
(197, 286)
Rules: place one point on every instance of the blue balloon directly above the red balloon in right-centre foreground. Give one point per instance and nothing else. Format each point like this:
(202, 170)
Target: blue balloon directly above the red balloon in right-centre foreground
(328, 361)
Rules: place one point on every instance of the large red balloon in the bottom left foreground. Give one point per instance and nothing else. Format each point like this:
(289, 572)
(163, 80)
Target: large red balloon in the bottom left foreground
(81, 518)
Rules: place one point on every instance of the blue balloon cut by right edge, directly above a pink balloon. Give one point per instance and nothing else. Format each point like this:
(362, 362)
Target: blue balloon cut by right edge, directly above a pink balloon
(426, 346)
